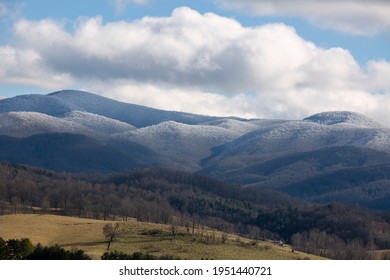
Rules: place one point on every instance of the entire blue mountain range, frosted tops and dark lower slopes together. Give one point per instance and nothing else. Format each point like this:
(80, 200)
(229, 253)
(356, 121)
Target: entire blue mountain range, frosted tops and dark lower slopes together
(342, 154)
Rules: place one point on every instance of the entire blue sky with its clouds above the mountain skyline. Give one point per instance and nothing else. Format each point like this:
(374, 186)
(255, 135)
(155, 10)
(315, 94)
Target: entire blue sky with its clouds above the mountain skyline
(248, 58)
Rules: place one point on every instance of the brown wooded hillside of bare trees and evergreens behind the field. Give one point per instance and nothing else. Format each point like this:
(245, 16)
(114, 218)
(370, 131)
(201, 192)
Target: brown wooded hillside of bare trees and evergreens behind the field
(169, 196)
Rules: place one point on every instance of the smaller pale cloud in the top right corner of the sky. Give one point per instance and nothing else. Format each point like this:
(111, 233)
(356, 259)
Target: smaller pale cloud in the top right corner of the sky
(362, 17)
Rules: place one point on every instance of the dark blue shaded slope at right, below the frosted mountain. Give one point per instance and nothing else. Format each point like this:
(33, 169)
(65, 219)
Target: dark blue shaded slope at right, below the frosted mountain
(345, 174)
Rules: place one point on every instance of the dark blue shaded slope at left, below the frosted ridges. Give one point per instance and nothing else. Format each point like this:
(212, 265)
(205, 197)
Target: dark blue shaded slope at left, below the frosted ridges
(71, 153)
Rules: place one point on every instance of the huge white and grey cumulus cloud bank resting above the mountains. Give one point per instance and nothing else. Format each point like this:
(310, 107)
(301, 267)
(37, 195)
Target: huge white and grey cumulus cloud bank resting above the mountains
(202, 63)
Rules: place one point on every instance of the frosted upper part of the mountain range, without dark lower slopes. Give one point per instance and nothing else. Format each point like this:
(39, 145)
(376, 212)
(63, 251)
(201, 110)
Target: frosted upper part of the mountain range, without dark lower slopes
(182, 140)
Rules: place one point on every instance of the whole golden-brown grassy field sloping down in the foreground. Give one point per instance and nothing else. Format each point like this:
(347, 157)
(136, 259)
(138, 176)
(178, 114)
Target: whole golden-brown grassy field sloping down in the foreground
(156, 239)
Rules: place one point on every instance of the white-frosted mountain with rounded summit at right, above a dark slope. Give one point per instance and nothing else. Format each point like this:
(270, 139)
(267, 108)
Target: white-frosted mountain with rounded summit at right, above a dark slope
(283, 138)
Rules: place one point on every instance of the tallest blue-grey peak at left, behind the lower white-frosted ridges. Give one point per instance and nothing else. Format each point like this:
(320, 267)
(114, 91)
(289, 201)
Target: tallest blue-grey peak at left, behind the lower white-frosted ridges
(66, 101)
